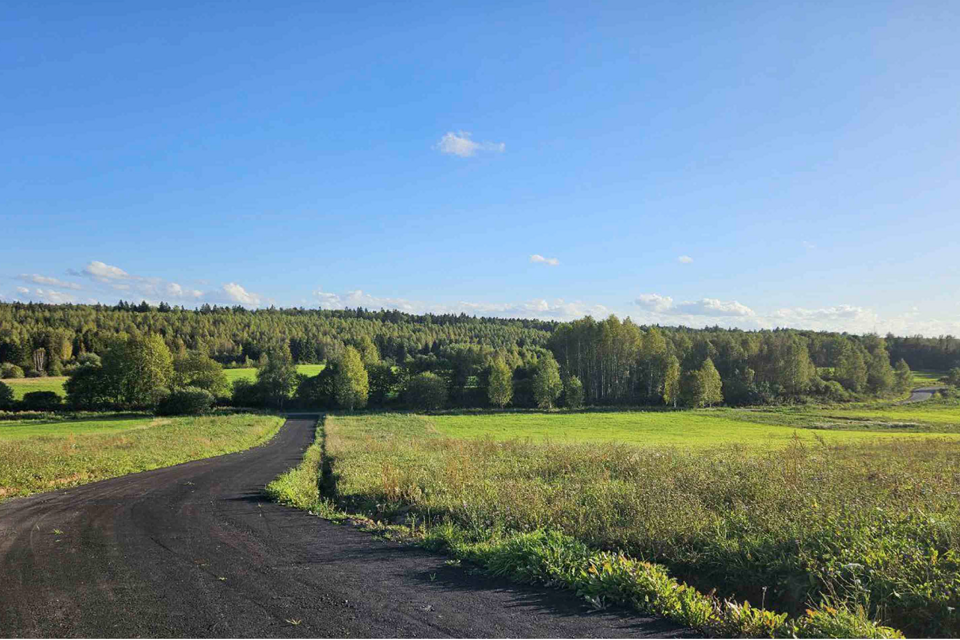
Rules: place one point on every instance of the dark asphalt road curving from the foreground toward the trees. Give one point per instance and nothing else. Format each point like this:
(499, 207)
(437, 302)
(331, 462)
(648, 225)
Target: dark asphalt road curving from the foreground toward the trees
(198, 550)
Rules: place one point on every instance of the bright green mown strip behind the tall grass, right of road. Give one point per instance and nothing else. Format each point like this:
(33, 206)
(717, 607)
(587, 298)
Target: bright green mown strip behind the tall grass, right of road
(703, 428)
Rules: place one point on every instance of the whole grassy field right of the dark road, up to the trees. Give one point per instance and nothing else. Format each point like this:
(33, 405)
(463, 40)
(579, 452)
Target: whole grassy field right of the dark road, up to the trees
(836, 519)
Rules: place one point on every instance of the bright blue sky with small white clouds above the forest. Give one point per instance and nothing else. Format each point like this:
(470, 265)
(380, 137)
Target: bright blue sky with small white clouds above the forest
(802, 158)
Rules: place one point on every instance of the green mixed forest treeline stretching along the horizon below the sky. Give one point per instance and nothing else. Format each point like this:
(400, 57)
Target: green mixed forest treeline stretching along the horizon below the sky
(460, 360)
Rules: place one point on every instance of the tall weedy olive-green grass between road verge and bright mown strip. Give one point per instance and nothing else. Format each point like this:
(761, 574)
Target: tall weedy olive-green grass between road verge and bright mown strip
(874, 524)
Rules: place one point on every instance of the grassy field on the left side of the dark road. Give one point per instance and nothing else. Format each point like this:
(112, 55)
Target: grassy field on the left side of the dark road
(74, 452)
